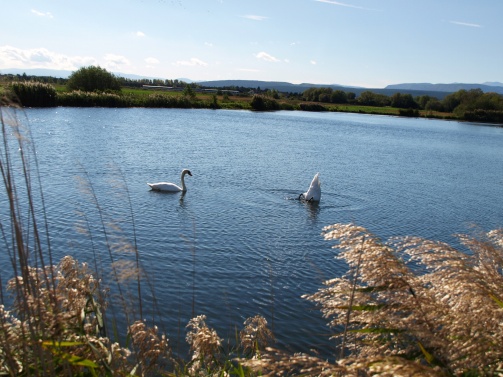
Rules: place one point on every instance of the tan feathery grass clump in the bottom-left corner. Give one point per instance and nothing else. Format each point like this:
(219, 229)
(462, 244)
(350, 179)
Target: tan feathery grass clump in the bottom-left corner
(62, 331)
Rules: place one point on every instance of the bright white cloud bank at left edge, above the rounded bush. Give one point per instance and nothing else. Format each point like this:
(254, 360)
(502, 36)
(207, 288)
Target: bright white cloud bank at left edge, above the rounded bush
(12, 57)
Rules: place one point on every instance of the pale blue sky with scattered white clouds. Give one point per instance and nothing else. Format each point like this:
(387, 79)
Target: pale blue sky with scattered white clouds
(369, 43)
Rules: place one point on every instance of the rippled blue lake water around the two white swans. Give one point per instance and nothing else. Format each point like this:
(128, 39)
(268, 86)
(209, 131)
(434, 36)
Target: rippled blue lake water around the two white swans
(238, 243)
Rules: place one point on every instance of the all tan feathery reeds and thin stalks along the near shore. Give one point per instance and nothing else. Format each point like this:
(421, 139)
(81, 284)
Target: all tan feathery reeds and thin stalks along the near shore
(408, 306)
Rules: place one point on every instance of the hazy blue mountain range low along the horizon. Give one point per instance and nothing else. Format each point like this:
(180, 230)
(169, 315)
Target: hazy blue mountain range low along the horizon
(415, 89)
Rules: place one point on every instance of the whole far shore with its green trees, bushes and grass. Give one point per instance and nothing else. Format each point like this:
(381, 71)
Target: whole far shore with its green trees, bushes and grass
(95, 87)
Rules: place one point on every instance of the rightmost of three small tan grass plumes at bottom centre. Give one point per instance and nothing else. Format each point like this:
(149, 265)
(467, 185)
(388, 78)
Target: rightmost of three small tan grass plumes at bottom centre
(255, 336)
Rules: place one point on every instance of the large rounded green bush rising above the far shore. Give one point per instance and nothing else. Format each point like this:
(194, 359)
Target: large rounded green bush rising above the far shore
(92, 78)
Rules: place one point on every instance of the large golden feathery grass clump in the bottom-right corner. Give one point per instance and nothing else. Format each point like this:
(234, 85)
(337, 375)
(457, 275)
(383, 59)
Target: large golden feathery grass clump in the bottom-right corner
(420, 300)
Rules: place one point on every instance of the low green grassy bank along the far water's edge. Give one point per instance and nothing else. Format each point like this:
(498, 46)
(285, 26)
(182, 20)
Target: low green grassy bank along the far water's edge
(148, 98)
